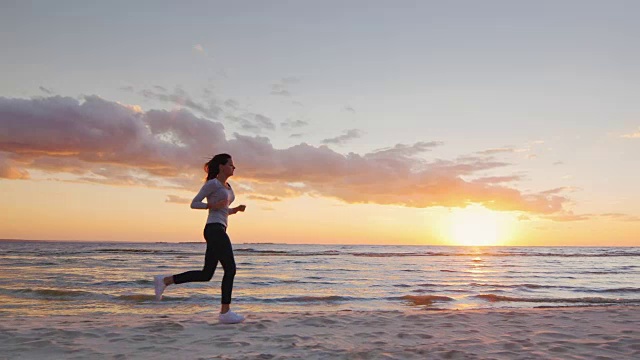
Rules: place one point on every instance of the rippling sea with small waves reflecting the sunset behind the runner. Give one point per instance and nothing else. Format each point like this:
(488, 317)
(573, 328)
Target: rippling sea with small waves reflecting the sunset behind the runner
(43, 278)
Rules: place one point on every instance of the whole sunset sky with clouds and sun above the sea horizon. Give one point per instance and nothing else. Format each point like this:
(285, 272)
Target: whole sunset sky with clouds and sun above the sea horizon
(350, 122)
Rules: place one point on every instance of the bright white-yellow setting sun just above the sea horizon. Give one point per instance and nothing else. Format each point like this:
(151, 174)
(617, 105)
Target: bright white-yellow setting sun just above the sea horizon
(475, 226)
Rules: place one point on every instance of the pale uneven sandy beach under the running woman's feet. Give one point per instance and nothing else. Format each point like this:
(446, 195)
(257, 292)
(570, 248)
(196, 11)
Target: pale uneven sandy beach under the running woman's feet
(562, 333)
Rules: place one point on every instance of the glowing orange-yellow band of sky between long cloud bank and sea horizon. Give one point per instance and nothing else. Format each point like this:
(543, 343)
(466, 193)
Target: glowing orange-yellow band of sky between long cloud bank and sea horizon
(90, 212)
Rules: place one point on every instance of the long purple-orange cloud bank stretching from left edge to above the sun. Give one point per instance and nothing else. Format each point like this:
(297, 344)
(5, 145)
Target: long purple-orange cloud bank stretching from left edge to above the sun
(96, 140)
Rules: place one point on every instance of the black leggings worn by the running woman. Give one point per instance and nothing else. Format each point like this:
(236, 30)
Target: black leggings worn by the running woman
(218, 249)
